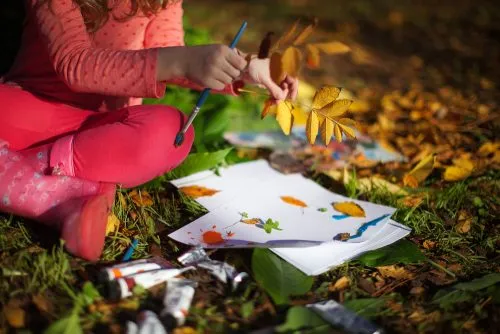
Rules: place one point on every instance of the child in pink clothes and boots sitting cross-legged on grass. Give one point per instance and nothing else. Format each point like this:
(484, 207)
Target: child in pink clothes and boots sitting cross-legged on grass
(71, 123)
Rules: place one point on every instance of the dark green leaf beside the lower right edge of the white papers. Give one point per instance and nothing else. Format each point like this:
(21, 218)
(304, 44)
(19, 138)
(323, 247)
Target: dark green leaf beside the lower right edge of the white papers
(401, 252)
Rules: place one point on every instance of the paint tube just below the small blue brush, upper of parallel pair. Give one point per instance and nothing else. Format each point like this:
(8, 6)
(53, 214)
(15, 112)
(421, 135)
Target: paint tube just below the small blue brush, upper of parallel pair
(133, 267)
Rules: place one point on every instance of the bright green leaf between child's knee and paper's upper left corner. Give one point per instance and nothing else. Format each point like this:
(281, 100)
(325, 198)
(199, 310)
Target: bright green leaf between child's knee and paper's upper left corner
(198, 162)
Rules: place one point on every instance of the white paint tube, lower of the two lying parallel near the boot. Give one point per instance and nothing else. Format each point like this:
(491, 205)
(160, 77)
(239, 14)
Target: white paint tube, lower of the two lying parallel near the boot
(123, 287)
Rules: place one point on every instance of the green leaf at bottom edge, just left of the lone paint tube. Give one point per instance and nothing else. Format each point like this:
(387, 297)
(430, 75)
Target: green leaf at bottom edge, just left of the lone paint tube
(302, 318)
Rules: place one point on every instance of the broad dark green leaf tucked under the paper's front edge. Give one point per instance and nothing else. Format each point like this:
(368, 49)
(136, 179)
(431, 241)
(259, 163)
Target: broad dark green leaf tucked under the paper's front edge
(279, 278)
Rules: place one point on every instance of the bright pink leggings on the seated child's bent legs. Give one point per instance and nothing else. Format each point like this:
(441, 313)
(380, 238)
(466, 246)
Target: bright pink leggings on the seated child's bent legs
(129, 146)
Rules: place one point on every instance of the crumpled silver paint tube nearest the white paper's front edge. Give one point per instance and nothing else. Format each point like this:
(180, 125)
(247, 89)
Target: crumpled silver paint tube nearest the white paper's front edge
(225, 272)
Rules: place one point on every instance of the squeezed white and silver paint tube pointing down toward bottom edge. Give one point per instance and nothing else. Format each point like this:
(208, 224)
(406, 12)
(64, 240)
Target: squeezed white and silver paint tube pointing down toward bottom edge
(177, 301)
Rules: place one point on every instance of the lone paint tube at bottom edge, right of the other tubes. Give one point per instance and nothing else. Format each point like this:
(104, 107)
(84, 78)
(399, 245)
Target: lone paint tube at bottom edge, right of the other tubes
(339, 316)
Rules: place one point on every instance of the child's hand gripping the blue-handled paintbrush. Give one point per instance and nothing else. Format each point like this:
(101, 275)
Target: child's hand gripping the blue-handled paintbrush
(212, 66)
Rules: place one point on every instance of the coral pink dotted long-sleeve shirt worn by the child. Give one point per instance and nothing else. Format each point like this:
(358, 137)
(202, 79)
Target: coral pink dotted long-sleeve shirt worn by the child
(110, 69)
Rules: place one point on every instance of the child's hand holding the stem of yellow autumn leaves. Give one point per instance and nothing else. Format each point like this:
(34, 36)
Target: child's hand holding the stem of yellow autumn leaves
(259, 73)
